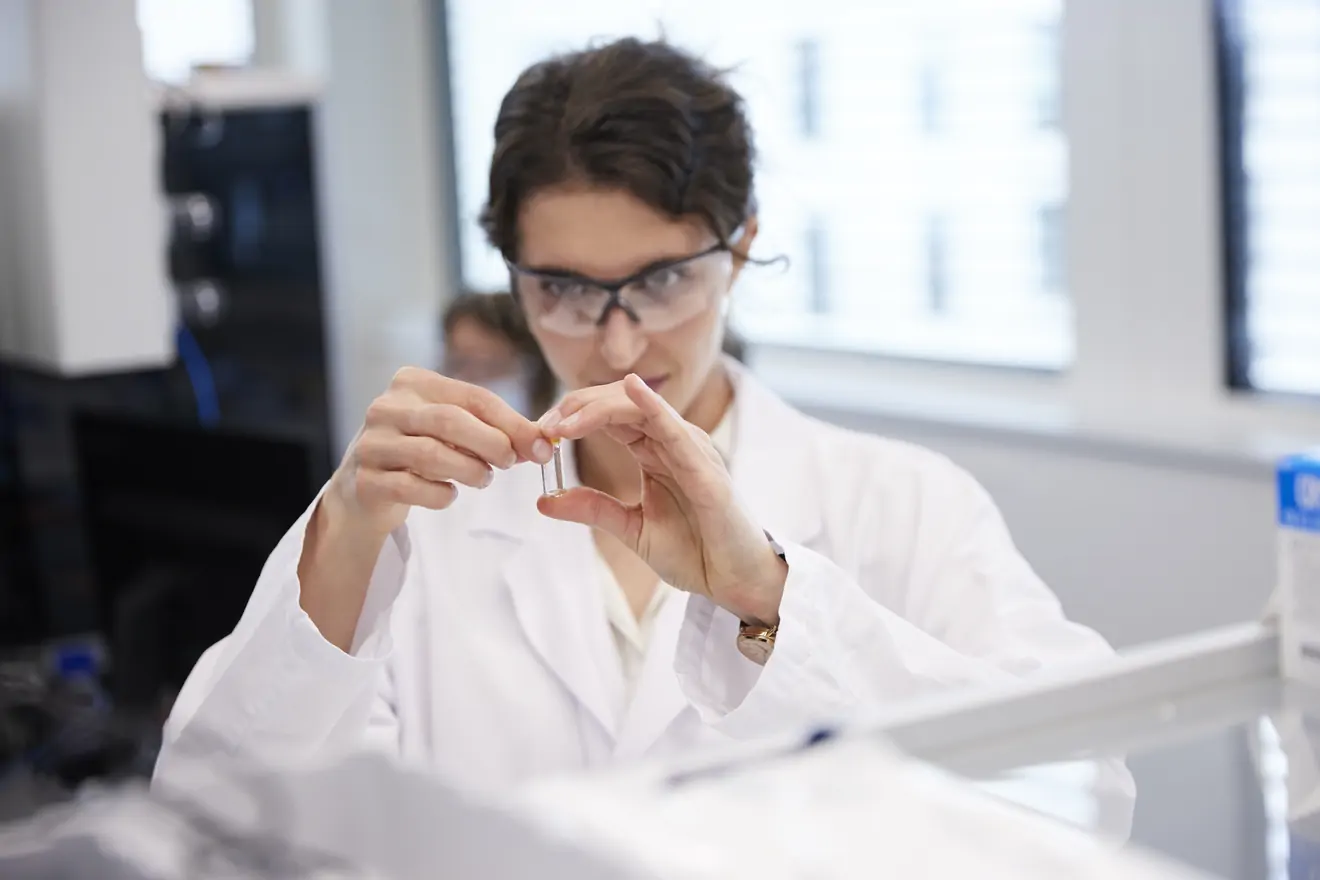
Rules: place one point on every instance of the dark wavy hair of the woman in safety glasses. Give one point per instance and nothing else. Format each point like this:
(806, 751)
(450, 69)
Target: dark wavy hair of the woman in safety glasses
(642, 117)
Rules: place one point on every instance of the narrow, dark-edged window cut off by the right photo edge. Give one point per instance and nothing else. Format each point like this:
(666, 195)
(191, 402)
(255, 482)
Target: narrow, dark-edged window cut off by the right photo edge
(1270, 98)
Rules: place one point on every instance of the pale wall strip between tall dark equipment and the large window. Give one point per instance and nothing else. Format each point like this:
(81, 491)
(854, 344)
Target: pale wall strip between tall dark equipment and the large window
(381, 175)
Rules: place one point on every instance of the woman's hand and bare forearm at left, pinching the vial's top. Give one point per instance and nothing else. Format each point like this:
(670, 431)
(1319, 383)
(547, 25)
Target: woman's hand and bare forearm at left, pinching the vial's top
(422, 439)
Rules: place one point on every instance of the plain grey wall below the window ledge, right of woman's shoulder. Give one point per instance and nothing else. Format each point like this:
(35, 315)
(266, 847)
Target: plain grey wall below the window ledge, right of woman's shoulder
(1140, 544)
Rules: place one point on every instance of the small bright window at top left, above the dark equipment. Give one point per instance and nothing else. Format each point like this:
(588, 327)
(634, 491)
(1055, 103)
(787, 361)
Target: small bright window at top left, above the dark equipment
(179, 35)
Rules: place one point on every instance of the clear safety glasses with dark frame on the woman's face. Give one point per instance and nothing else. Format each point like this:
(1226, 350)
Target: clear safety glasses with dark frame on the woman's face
(661, 298)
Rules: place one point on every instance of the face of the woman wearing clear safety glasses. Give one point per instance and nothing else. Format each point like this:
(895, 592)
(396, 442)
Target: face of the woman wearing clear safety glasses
(608, 234)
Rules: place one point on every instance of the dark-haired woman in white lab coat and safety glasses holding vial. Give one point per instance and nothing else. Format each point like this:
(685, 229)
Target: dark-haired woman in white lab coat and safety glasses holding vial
(720, 567)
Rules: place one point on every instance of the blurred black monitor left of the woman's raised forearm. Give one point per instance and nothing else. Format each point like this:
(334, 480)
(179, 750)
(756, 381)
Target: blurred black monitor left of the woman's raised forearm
(180, 520)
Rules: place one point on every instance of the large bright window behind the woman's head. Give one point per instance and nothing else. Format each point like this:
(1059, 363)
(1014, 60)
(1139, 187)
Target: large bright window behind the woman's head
(872, 171)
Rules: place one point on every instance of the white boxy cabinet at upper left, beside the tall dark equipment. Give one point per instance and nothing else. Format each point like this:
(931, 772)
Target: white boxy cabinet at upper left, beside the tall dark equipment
(84, 282)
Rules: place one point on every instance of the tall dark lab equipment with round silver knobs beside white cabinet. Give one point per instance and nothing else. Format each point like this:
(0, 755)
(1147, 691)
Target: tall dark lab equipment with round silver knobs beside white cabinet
(245, 258)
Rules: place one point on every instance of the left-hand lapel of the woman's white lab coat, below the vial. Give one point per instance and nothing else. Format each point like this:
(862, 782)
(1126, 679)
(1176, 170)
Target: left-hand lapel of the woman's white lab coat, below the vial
(551, 579)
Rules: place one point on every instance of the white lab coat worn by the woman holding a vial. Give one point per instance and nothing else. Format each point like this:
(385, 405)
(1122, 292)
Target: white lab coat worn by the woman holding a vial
(484, 650)
